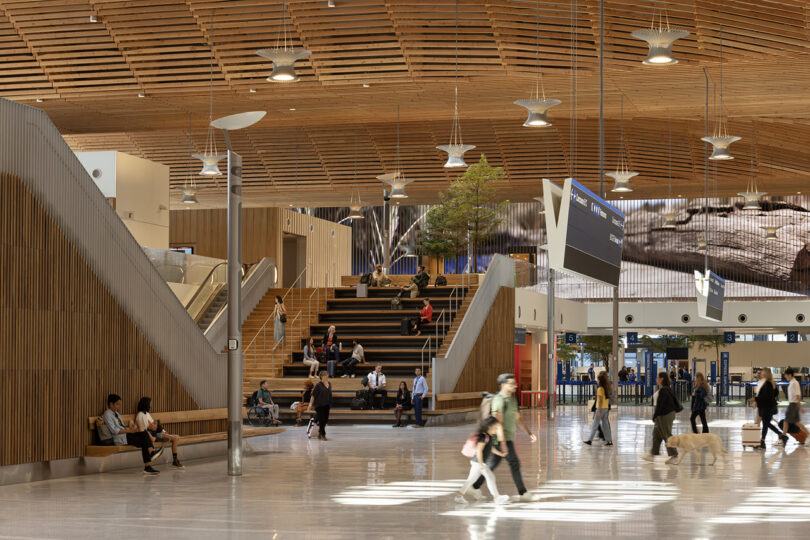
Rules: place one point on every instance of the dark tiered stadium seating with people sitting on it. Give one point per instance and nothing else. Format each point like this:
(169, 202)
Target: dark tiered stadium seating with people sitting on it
(376, 325)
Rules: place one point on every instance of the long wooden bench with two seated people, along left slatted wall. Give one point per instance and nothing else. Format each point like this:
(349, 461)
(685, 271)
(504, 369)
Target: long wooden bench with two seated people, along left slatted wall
(177, 417)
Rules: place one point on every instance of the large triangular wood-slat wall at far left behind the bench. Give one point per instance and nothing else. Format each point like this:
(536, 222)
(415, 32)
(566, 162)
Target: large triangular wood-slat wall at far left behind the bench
(65, 342)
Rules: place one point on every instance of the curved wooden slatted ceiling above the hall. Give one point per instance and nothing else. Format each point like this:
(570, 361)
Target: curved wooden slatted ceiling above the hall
(89, 75)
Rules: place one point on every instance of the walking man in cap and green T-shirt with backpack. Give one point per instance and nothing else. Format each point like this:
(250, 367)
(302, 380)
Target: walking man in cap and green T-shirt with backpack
(504, 407)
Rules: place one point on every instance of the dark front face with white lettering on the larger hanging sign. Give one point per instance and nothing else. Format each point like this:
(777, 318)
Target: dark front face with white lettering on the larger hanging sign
(595, 232)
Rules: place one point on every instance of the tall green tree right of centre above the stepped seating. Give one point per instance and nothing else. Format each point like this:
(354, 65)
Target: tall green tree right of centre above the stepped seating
(467, 213)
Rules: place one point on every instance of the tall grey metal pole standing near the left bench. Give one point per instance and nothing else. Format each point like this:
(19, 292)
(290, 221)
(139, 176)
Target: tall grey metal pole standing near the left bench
(234, 311)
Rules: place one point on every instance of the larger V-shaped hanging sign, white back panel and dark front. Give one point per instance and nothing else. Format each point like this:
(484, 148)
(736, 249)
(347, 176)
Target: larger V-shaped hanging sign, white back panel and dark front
(585, 233)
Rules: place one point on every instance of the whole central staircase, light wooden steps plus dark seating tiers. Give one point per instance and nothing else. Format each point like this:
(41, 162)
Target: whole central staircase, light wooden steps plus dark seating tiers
(370, 320)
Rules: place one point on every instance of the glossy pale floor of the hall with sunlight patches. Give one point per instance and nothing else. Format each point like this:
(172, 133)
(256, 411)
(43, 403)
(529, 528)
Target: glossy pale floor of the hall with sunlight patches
(380, 482)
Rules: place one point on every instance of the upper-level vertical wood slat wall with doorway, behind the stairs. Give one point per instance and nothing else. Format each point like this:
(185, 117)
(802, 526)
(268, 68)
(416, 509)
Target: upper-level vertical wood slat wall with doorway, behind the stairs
(329, 245)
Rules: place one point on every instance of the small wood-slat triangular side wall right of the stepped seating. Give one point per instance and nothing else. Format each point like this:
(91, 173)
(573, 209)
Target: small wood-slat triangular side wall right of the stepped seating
(494, 351)
